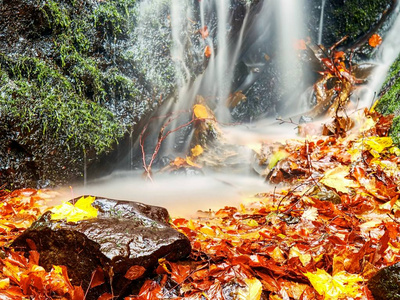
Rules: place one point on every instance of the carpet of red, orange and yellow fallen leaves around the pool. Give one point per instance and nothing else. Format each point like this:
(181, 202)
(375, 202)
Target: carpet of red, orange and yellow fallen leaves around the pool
(322, 237)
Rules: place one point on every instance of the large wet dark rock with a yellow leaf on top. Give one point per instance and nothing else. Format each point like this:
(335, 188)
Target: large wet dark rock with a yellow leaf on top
(124, 234)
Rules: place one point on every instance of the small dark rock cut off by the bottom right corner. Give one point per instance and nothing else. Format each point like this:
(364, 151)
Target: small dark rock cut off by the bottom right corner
(385, 284)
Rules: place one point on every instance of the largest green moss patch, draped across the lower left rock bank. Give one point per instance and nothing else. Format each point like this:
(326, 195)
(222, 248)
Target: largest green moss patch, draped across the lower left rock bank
(38, 97)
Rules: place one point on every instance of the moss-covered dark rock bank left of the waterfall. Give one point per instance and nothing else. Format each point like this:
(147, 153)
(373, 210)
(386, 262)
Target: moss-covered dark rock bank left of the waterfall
(67, 92)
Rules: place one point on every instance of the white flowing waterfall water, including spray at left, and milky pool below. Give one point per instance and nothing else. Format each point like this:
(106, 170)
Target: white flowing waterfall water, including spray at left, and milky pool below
(185, 195)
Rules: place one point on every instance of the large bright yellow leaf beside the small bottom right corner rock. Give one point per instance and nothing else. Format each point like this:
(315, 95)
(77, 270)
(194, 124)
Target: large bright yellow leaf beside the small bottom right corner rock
(335, 287)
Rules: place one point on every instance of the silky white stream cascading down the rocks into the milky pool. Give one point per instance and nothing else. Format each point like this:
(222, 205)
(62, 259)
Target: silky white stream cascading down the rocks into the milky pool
(185, 195)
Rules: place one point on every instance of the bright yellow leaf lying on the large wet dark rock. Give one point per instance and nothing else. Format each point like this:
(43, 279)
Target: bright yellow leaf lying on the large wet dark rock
(82, 210)
